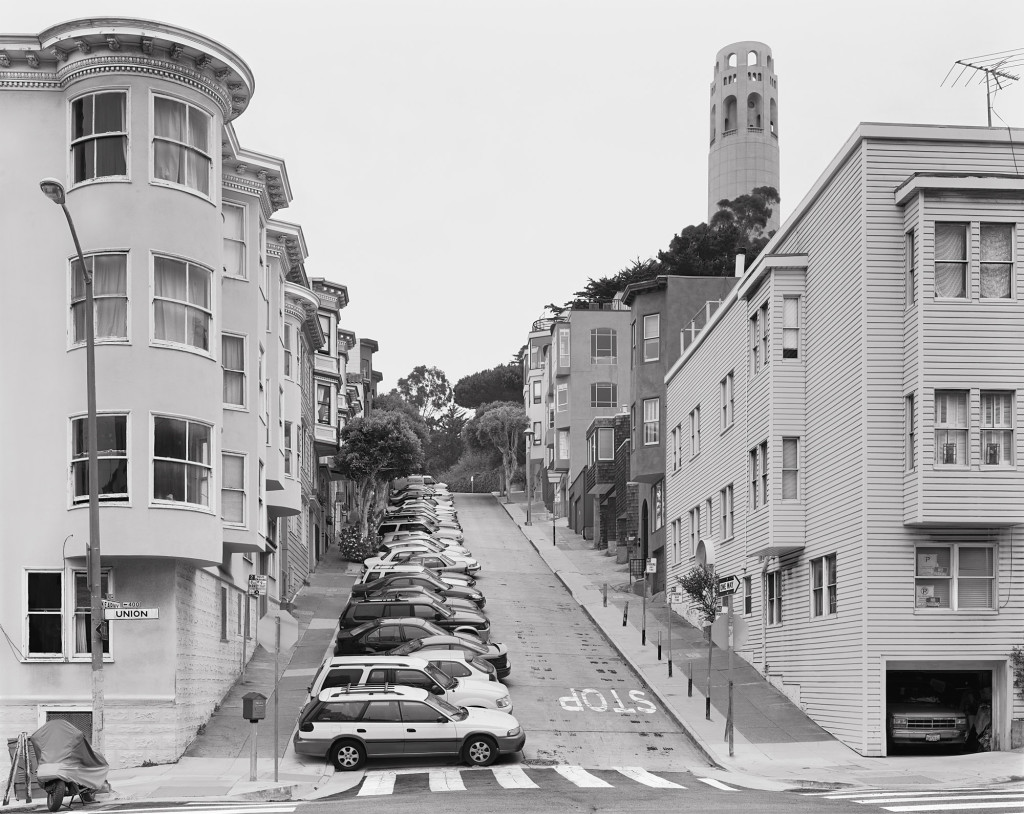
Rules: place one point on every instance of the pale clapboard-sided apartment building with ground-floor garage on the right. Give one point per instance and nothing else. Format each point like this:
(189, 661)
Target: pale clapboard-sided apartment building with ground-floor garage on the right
(858, 460)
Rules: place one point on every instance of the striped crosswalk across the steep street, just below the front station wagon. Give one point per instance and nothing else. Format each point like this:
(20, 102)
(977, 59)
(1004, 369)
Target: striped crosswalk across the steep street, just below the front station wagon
(381, 783)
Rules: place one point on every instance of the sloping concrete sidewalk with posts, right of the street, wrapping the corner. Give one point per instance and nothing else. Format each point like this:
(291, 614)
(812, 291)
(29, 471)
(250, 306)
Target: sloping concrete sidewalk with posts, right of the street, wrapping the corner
(777, 746)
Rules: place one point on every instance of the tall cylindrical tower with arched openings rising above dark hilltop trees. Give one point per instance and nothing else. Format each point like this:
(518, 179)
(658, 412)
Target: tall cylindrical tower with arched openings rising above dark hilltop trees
(744, 124)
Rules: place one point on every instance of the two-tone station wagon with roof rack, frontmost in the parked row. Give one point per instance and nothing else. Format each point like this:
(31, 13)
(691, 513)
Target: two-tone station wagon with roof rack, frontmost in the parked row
(349, 725)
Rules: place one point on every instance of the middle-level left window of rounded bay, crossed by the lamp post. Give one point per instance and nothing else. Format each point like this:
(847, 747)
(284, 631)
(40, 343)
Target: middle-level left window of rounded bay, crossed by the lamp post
(110, 297)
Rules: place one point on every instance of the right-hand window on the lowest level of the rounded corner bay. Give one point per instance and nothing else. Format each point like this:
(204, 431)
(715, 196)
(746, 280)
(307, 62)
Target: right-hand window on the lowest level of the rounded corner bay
(182, 461)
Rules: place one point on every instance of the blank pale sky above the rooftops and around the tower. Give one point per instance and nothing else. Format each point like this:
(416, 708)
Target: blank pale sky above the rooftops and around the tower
(459, 164)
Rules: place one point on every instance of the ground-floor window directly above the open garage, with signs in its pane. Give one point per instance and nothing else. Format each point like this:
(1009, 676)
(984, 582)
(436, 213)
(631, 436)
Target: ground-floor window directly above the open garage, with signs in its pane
(956, 578)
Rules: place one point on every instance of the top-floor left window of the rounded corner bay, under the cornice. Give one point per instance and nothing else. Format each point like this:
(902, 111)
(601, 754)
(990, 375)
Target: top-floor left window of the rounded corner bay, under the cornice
(100, 137)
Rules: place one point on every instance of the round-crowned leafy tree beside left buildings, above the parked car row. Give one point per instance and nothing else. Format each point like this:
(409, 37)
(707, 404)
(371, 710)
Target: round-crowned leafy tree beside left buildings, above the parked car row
(375, 450)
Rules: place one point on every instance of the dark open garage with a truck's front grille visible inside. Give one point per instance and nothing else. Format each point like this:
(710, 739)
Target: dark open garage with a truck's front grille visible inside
(938, 712)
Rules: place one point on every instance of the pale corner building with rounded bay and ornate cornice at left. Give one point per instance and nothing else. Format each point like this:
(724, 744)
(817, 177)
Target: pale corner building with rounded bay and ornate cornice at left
(196, 375)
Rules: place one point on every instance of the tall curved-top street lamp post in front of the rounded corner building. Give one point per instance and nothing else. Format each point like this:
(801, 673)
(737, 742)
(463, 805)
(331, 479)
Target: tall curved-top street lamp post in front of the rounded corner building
(55, 191)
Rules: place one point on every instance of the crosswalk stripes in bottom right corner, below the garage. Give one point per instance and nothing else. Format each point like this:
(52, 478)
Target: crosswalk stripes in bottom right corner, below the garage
(1000, 800)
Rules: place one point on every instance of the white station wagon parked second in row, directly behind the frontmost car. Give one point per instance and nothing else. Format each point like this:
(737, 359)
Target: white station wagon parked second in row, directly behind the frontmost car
(411, 671)
